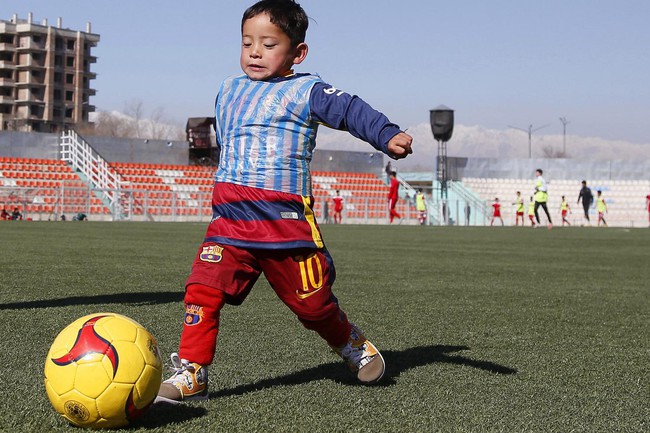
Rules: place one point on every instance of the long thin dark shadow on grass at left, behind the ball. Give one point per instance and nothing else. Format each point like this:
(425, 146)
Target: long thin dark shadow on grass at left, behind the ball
(143, 298)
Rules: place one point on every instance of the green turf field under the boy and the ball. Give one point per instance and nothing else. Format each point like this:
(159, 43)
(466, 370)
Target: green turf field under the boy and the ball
(483, 330)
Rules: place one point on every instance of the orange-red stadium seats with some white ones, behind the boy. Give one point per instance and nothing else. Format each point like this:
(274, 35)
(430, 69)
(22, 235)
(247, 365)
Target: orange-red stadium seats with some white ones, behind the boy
(45, 189)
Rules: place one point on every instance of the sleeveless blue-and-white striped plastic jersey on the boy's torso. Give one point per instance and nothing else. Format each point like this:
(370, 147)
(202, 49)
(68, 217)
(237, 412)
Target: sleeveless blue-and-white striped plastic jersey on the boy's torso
(266, 133)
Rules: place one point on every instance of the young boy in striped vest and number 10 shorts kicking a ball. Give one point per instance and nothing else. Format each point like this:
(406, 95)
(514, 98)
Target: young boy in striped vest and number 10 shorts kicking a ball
(263, 220)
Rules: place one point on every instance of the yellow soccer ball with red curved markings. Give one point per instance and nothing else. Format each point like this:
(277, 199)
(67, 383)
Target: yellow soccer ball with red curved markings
(103, 371)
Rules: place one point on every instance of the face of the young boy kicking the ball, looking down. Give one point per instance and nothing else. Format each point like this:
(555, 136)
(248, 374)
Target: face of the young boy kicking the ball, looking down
(266, 50)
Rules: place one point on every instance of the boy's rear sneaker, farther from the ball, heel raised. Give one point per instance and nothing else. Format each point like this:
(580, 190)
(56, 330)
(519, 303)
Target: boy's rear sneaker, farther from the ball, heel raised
(362, 357)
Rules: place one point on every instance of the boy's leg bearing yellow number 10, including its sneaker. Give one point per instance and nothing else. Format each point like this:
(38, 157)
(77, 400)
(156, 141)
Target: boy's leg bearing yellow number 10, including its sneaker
(317, 308)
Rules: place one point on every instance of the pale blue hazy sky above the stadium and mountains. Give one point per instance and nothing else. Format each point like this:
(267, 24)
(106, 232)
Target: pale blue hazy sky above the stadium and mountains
(497, 63)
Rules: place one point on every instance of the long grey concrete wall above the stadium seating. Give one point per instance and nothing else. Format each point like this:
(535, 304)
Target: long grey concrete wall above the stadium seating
(40, 145)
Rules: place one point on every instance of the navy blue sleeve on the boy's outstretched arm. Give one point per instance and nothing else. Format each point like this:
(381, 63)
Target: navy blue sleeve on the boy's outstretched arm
(339, 110)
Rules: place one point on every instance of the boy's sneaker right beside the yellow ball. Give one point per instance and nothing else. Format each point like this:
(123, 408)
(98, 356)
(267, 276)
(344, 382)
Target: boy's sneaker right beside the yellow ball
(189, 382)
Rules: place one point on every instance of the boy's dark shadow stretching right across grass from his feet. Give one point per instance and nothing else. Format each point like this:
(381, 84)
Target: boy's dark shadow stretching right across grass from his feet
(397, 361)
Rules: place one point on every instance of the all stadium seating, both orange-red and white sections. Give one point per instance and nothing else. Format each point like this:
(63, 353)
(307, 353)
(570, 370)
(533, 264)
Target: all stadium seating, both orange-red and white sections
(45, 189)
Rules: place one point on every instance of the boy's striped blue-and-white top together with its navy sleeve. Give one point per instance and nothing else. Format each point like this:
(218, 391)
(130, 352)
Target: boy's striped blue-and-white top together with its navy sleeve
(267, 129)
